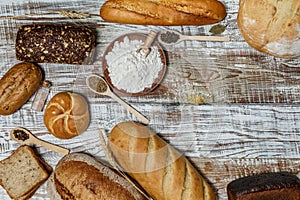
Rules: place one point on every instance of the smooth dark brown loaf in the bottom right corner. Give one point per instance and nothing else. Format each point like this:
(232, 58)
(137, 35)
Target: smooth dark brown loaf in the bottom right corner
(277, 186)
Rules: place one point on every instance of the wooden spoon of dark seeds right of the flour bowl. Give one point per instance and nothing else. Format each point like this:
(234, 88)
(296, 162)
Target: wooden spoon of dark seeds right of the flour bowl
(170, 37)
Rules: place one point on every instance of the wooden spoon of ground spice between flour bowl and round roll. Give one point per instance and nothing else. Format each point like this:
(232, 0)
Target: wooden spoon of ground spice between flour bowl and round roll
(98, 85)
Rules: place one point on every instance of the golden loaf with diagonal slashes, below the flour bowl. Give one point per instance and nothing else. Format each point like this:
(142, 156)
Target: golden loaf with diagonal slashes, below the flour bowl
(162, 171)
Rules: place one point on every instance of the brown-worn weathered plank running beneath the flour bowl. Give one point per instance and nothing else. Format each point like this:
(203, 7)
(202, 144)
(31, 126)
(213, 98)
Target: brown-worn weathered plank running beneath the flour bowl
(194, 75)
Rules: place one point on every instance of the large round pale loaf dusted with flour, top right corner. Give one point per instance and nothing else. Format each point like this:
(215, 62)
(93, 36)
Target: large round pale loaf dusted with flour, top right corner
(271, 26)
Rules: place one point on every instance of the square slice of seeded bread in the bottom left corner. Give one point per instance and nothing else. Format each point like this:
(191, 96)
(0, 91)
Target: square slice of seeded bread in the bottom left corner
(22, 173)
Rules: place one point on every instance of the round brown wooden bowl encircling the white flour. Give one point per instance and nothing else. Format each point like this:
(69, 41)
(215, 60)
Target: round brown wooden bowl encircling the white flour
(134, 36)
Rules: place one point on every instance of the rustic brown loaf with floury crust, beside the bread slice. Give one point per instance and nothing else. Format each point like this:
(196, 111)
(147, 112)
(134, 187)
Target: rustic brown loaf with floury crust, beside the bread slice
(81, 176)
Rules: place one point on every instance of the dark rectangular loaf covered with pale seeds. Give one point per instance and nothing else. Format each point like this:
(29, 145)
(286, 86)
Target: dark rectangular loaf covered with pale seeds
(53, 43)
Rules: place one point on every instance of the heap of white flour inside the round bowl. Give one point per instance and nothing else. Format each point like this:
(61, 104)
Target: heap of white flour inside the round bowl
(130, 70)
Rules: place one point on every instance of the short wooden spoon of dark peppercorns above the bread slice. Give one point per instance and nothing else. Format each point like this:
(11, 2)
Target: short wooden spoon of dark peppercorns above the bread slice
(23, 136)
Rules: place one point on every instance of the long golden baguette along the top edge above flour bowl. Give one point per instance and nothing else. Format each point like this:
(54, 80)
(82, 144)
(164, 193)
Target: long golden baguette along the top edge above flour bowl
(162, 12)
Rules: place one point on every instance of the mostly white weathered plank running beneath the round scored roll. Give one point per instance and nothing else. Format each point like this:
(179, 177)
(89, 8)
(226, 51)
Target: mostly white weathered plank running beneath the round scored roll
(215, 131)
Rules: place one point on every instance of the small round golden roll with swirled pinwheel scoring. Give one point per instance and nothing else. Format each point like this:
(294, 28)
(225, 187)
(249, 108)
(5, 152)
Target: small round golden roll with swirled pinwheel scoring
(67, 115)
